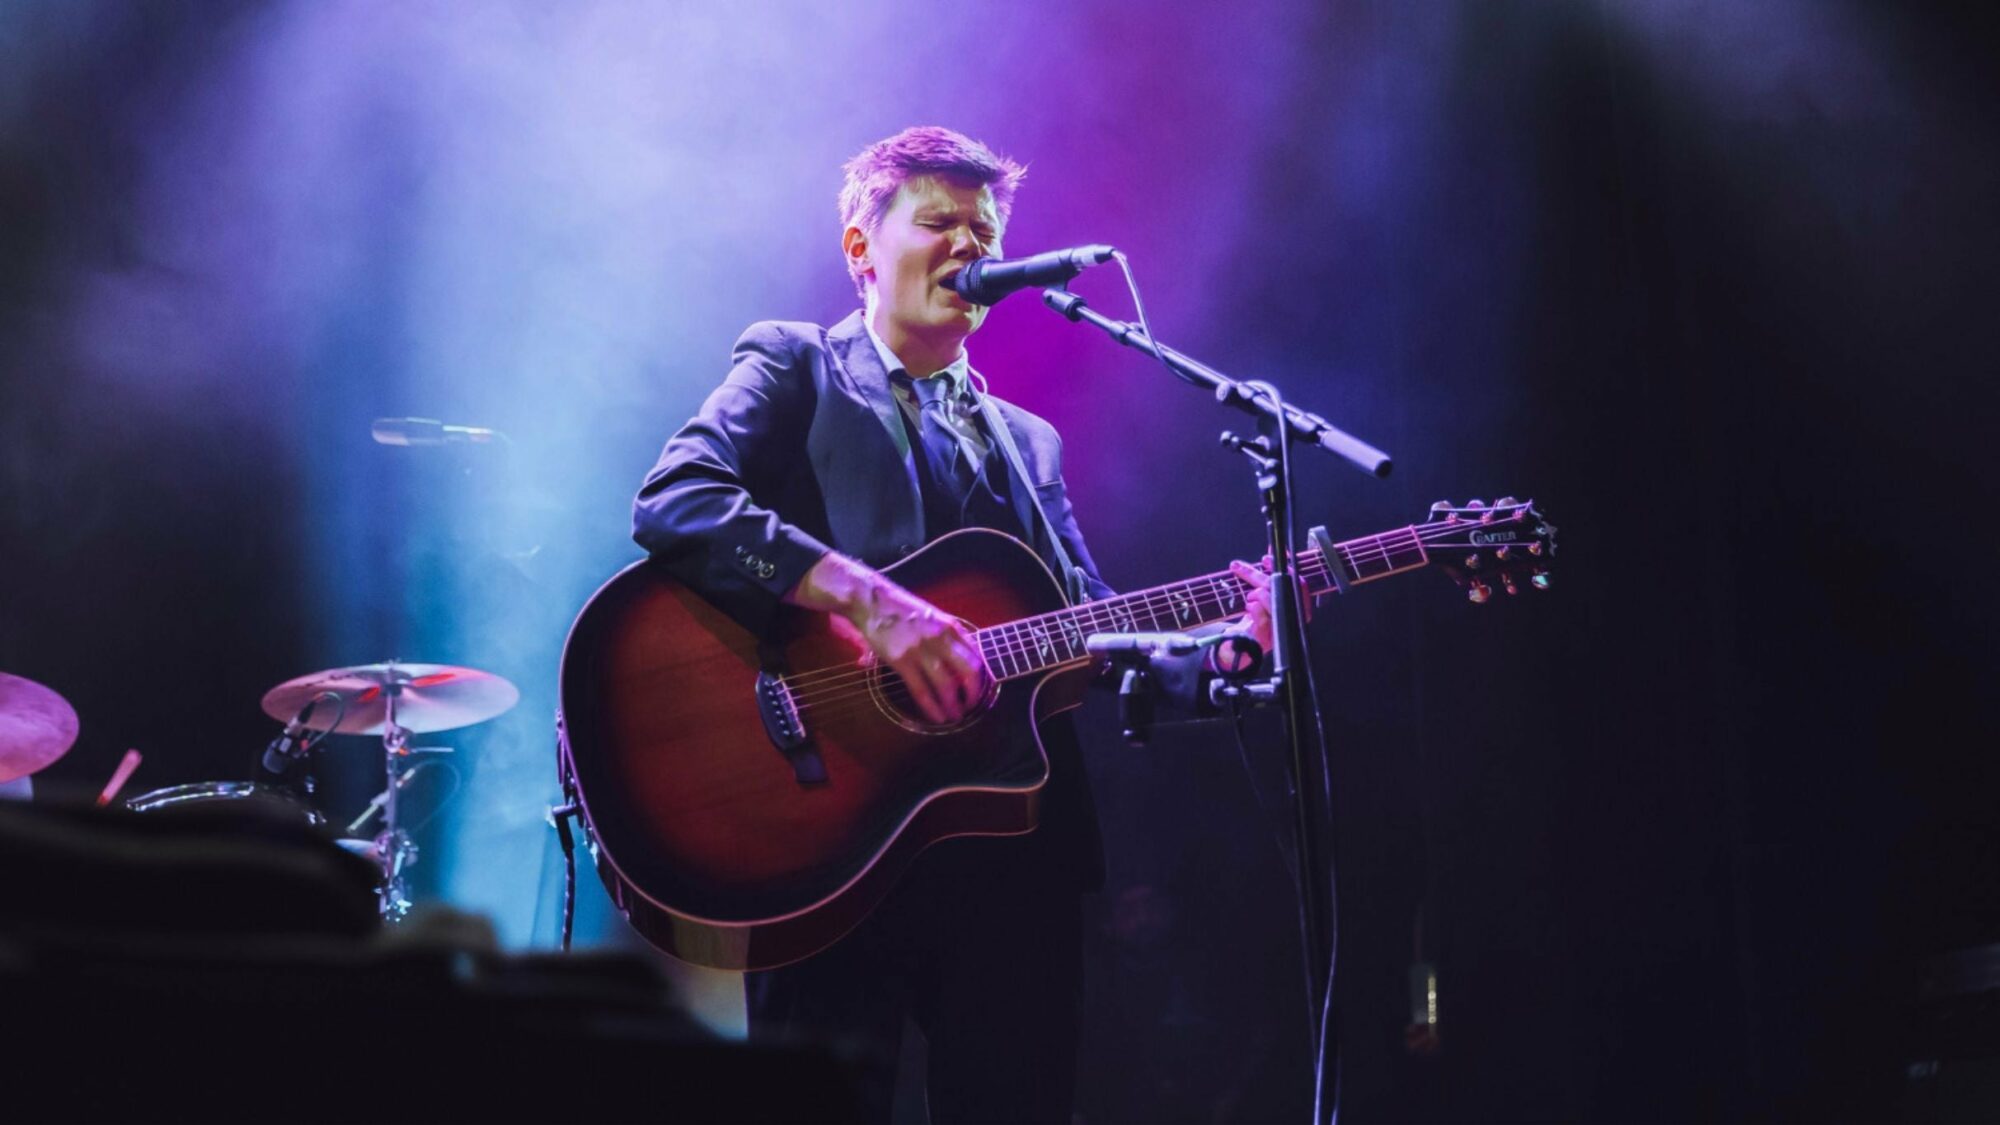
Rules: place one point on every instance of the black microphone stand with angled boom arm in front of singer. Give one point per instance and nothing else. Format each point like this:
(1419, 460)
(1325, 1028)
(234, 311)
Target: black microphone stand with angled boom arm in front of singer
(1291, 652)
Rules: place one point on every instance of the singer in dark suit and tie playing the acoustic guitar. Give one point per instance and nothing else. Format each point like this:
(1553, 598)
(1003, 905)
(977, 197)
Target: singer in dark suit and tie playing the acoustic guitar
(825, 455)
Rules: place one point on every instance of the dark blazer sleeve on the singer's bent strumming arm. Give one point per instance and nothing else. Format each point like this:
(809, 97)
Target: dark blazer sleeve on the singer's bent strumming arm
(703, 509)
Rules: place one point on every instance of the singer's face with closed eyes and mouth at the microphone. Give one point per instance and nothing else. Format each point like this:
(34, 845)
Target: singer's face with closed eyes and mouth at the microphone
(933, 229)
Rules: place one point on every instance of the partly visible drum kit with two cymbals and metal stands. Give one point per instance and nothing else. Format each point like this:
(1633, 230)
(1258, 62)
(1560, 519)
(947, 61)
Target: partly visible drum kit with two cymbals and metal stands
(389, 702)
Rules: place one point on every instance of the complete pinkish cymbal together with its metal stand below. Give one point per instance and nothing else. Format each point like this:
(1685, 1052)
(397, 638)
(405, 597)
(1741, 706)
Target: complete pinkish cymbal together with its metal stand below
(393, 702)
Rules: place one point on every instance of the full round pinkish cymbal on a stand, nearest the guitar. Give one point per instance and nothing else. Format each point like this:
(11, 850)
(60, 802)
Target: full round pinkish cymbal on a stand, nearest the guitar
(429, 698)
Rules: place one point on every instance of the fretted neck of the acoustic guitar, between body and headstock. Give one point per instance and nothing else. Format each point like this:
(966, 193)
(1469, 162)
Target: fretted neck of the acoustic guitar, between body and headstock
(1053, 640)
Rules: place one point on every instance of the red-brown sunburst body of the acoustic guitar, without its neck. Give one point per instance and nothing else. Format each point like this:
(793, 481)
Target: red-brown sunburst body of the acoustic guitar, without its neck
(725, 846)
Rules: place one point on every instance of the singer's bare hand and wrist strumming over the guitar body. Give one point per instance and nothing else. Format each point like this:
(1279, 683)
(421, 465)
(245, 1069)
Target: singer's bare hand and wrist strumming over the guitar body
(929, 650)
